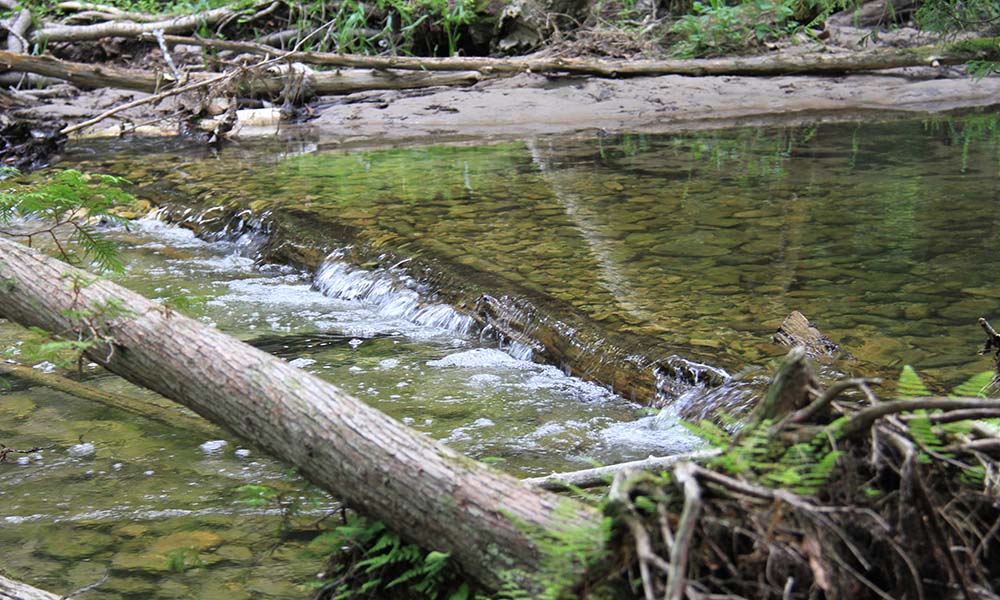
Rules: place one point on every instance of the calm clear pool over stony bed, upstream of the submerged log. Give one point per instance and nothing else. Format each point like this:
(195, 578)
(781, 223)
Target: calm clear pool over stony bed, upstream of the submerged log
(884, 234)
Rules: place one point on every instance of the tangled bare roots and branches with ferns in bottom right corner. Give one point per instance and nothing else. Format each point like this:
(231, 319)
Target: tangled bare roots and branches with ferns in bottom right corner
(842, 497)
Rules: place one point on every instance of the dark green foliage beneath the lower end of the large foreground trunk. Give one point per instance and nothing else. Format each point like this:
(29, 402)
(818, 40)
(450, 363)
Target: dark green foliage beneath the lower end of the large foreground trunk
(369, 560)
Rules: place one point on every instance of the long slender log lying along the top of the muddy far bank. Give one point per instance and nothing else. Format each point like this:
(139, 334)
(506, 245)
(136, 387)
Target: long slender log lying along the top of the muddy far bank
(812, 63)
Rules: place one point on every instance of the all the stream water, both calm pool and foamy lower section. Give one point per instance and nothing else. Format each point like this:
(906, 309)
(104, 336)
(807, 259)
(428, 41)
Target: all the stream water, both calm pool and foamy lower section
(885, 234)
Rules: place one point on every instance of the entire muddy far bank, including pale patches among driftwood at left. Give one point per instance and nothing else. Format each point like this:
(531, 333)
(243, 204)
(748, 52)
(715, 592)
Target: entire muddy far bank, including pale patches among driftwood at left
(532, 104)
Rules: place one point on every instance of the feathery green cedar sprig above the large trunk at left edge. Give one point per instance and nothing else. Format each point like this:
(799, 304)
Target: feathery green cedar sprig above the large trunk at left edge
(69, 204)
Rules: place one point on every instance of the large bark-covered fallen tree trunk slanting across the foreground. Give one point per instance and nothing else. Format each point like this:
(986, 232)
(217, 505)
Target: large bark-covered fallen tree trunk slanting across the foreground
(428, 493)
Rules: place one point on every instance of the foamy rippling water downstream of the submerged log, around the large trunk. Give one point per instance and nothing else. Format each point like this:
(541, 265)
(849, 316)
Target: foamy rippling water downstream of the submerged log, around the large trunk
(115, 493)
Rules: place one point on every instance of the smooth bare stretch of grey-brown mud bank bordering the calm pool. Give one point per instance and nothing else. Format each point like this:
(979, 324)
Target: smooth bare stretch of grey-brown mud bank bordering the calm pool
(528, 105)
